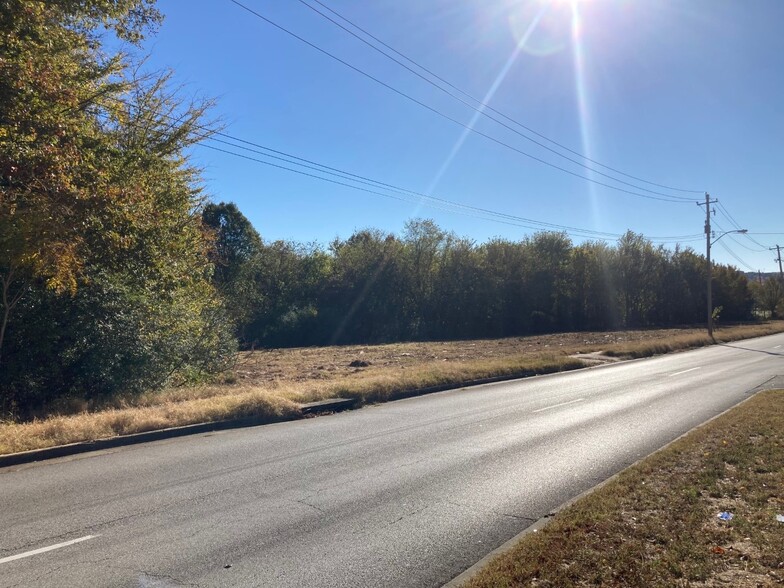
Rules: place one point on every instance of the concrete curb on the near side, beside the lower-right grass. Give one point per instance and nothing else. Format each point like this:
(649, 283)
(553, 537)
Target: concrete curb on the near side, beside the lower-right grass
(774, 383)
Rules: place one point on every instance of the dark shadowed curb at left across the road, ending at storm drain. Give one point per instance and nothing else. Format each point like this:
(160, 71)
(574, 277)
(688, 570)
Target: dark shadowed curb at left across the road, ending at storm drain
(34, 455)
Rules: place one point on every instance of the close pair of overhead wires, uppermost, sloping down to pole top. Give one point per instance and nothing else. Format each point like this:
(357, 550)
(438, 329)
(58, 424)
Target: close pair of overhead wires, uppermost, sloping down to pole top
(483, 105)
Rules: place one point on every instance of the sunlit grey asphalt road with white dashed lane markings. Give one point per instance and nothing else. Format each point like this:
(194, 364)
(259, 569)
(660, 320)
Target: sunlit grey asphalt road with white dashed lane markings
(408, 493)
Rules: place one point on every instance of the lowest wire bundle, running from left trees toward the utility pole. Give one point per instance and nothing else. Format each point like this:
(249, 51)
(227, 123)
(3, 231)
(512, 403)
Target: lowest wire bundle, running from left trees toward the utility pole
(405, 194)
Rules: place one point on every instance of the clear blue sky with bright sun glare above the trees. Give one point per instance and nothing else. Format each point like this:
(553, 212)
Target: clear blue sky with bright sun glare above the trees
(684, 94)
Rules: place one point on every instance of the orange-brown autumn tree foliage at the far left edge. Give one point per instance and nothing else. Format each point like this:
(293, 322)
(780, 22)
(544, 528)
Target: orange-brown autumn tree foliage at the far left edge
(53, 81)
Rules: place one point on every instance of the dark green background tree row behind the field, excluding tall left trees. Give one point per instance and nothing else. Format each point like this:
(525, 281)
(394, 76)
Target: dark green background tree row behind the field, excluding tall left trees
(430, 284)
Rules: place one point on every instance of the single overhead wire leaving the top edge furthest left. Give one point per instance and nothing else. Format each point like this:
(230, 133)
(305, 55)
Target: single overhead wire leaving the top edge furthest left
(666, 198)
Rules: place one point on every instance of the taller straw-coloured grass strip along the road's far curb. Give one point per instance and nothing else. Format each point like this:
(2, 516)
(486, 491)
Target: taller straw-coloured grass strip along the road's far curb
(279, 400)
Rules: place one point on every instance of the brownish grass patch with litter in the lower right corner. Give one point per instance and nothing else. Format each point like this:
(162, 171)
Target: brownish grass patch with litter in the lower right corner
(656, 524)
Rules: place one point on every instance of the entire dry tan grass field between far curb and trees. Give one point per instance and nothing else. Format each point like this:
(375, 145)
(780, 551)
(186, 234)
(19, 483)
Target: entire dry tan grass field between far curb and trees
(272, 383)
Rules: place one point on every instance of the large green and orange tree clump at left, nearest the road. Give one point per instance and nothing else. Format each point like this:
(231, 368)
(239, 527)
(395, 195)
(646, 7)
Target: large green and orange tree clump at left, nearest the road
(103, 258)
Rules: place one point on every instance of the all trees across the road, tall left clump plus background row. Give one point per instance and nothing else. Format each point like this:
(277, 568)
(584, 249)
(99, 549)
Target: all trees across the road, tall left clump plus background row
(117, 276)
